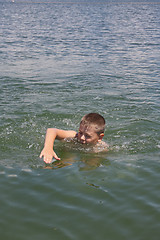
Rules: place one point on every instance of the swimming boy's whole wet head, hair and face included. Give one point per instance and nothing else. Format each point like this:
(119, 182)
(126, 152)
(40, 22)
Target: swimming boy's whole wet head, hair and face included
(91, 128)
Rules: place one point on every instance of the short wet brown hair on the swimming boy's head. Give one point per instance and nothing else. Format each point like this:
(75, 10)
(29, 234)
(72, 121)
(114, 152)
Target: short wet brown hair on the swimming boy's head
(95, 119)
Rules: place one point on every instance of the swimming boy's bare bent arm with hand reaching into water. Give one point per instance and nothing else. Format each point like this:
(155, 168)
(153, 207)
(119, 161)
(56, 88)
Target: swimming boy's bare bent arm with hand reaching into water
(52, 134)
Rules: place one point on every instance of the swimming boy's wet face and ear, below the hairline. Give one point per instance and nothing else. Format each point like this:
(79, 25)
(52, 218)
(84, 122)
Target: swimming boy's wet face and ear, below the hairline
(88, 135)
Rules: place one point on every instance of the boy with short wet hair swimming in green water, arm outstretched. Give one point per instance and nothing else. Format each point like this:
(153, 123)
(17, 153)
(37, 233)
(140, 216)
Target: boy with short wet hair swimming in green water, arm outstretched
(91, 132)
